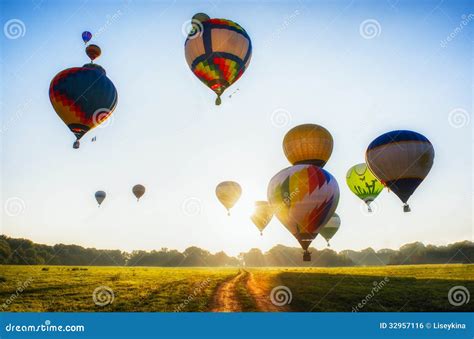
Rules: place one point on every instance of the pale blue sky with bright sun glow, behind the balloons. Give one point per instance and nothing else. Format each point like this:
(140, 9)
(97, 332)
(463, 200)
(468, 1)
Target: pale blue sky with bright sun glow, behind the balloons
(358, 68)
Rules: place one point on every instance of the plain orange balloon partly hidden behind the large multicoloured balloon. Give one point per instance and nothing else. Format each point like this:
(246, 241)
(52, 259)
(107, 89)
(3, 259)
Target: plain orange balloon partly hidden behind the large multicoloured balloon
(308, 144)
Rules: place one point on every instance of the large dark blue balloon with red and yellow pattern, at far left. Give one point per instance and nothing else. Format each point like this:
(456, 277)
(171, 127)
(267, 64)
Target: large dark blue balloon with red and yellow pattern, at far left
(83, 97)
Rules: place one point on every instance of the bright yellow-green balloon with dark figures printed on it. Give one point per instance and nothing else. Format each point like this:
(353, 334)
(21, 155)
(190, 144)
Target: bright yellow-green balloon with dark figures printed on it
(363, 183)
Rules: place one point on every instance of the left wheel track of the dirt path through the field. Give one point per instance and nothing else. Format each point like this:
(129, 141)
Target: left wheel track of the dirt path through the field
(225, 299)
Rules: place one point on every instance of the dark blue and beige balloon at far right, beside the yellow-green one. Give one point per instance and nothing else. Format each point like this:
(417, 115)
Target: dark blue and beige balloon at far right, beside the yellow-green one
(400, 160)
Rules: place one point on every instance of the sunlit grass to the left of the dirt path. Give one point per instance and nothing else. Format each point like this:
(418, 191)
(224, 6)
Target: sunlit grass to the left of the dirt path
(67, 289)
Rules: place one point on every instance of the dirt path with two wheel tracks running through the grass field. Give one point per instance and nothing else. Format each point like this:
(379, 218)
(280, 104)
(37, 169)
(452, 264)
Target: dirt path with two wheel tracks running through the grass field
(226, 297)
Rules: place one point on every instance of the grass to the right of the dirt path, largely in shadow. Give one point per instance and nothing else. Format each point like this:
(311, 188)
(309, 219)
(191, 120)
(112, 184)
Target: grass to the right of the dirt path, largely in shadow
(406, 288)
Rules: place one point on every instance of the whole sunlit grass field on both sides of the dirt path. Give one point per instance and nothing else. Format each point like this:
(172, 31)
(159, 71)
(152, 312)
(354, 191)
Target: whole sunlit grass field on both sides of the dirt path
(362, 289)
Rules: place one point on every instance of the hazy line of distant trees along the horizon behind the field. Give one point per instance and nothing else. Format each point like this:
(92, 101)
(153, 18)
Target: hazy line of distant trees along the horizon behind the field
(25, 252)
